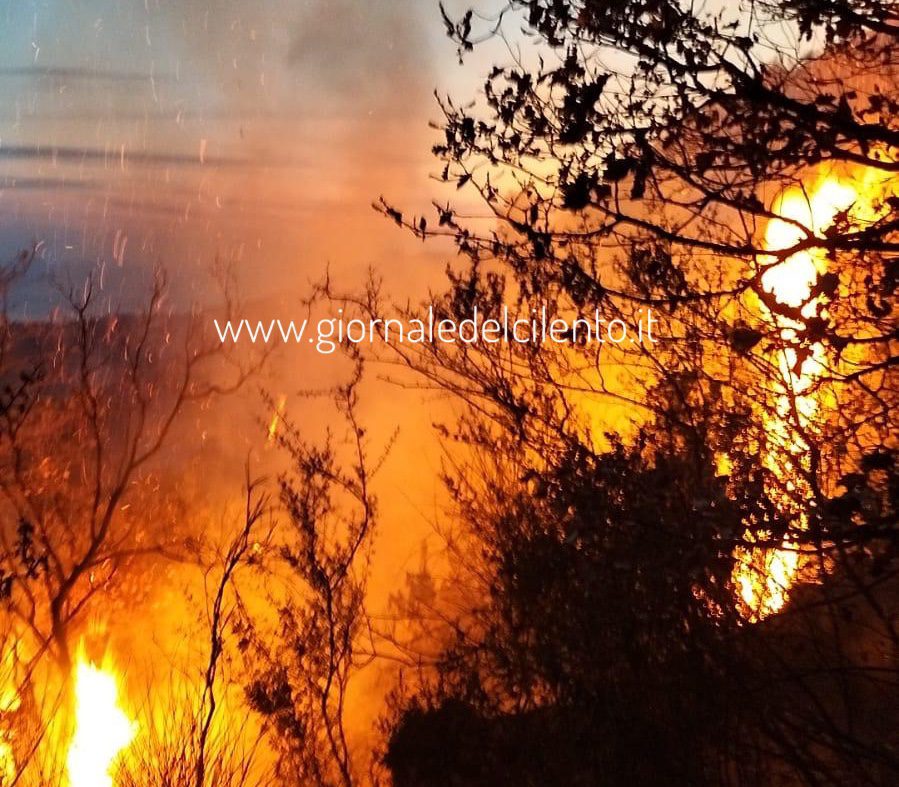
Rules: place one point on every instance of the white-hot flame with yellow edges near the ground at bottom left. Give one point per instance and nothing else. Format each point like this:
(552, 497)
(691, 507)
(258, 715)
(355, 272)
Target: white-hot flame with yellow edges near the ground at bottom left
(102, 729)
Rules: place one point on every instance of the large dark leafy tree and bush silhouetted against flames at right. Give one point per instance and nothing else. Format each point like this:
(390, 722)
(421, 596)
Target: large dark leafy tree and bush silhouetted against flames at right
(652, 154)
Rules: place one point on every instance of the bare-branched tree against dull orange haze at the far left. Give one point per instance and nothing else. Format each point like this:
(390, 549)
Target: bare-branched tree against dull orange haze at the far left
(66, 507)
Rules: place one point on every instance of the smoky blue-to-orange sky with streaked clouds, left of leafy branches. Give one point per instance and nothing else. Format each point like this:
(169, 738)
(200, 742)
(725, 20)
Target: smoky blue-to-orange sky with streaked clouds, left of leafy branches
(136, 133)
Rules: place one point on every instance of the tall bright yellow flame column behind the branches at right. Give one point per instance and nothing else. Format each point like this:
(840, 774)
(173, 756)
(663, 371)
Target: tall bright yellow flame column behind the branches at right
(763, 577)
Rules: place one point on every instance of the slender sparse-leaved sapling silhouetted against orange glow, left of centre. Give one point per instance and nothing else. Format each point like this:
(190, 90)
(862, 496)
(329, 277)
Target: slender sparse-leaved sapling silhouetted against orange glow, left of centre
(302, 671)
